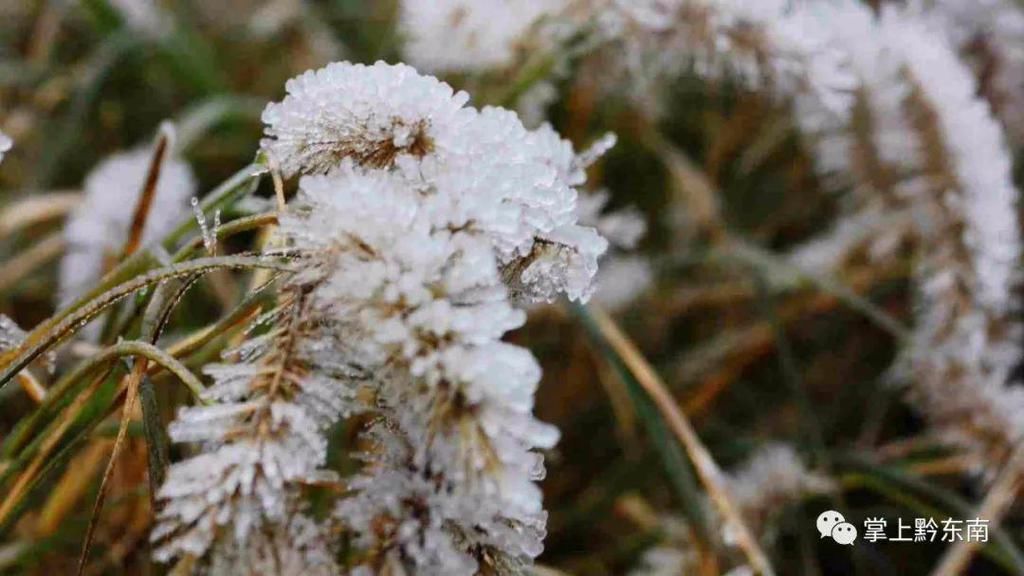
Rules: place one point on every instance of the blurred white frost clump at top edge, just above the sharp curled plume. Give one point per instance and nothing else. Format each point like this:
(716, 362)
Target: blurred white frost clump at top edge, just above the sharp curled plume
(461, 36)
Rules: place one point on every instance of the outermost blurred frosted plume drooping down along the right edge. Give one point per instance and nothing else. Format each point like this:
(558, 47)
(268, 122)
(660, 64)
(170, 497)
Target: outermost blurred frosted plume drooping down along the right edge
(966, 342)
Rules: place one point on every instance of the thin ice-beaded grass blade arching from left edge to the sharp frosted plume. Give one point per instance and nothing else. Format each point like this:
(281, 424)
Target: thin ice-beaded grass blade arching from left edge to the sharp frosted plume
(55, 331)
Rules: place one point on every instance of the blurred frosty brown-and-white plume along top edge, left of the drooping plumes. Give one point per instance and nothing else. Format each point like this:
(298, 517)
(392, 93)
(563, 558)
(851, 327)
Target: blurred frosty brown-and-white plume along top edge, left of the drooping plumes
(774, 45)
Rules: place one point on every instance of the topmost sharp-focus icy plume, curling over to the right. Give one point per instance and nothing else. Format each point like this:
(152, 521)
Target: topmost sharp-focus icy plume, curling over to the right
(517, 185)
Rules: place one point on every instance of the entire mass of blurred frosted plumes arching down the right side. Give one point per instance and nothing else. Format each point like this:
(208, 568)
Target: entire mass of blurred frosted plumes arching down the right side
(894, 114)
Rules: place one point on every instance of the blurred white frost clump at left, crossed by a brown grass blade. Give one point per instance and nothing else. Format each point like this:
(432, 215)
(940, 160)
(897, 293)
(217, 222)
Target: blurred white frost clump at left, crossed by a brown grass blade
(99, 228)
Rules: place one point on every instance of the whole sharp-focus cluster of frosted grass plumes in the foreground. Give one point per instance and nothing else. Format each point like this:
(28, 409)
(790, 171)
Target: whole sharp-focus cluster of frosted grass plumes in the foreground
(420, 225)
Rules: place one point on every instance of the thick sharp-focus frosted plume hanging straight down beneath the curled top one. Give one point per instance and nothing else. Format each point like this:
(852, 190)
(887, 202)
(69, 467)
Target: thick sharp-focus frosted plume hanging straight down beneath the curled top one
(423, 306)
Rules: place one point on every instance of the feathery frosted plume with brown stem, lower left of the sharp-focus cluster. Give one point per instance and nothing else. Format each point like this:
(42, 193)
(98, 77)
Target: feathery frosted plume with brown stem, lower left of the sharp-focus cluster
(263, 438)
